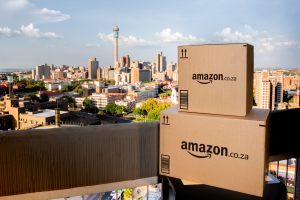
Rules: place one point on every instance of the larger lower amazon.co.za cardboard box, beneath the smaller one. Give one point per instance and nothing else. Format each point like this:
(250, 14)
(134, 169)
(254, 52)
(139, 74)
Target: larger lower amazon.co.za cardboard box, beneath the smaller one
(229, 152)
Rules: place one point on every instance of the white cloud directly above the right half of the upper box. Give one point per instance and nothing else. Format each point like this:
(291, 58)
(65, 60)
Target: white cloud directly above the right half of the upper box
(226, 35)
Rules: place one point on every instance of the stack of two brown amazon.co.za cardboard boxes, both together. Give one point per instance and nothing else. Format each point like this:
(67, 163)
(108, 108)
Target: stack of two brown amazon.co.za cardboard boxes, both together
(214, 136)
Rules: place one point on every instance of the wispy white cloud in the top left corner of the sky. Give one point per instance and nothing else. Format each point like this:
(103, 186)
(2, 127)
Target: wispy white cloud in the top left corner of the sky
(22, 11)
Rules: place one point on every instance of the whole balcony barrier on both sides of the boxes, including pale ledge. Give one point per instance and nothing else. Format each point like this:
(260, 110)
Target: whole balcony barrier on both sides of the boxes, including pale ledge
(63, 162)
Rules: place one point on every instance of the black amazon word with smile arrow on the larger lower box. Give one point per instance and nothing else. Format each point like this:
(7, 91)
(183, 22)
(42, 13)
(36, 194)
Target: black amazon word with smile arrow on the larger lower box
(207, 150)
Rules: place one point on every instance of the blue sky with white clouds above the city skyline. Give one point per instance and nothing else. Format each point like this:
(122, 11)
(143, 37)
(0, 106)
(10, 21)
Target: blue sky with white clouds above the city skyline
(69, 32)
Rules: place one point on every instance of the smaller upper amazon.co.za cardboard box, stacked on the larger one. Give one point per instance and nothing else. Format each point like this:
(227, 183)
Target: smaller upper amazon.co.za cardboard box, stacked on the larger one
(216, 79)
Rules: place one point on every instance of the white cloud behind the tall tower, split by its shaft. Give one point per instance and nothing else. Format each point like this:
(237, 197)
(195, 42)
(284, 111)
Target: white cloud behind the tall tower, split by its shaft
(130, 41)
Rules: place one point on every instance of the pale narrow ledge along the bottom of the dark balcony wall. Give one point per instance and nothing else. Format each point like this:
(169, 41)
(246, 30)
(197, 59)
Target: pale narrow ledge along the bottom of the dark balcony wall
(55, 194)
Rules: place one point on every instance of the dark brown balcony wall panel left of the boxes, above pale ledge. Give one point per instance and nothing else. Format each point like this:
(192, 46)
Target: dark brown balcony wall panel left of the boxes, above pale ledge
(54, 159)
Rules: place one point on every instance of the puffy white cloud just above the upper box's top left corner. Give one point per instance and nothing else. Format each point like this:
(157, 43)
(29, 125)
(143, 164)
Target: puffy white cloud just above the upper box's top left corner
(167, 36)
